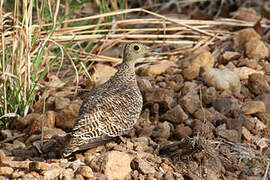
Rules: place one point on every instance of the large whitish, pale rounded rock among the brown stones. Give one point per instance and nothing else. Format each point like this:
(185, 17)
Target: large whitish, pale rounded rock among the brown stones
(223, 79)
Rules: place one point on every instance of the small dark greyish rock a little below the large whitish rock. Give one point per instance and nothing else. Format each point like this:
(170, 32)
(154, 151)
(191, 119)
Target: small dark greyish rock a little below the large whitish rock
(222, 105)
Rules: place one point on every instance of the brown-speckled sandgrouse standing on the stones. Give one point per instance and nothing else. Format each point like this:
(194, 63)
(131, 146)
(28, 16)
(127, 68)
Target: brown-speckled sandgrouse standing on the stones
(111, 109)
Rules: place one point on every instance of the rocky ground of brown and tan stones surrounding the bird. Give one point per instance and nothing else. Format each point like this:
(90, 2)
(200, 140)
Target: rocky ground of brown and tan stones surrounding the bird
(205, 116)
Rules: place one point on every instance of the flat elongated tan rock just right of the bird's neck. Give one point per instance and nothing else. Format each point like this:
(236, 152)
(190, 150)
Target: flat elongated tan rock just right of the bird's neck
(156, 69)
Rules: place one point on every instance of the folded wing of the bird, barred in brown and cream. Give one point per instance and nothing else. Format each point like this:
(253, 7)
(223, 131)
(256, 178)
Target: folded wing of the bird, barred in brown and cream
(108, 115)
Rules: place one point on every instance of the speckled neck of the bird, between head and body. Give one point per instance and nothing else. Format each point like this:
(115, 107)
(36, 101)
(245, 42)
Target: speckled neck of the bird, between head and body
(126, 72)
